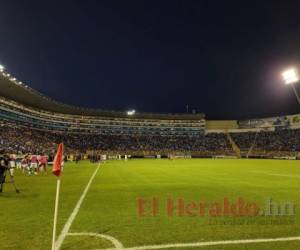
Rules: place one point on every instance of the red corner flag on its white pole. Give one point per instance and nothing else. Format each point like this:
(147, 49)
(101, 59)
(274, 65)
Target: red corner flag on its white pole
(57, 163)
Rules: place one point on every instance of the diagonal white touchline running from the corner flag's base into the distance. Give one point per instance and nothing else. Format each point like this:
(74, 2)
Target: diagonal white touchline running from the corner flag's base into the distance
(69, 222)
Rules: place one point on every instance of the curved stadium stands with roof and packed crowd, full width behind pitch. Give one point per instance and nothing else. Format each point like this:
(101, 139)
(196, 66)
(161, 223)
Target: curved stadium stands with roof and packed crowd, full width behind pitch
(26, 111)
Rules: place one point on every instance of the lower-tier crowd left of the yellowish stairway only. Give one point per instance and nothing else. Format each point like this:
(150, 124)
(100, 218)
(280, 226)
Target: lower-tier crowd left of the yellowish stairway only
(24, 140)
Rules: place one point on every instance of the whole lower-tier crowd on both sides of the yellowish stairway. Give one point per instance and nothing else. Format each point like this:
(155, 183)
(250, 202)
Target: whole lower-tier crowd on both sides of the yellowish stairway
(15, 139)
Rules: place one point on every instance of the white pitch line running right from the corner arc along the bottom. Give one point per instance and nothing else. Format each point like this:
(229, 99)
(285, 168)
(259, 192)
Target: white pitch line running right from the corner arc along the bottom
(207, 243)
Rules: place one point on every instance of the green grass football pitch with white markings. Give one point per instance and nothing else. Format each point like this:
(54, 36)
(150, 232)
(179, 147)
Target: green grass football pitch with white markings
(157, 204)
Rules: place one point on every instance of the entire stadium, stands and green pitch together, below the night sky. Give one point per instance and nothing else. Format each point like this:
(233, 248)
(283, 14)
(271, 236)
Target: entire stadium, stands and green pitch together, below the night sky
(131, 148)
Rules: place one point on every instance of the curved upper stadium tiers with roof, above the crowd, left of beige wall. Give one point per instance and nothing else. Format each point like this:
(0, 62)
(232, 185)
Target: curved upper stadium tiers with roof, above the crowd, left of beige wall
(24, 106)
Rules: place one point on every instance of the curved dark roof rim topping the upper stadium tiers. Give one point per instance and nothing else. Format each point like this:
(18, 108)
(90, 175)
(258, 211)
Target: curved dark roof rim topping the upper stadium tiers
(11, 89)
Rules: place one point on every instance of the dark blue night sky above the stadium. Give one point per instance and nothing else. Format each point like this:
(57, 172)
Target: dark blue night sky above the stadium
(222, 58)
